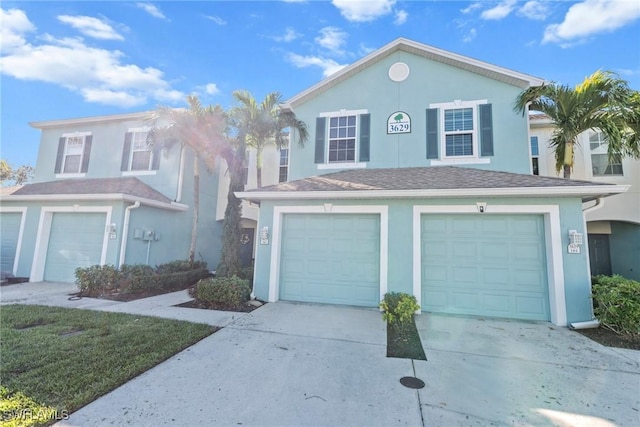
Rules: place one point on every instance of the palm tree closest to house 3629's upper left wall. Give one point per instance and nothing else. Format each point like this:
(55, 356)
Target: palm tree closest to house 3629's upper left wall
(264, 122)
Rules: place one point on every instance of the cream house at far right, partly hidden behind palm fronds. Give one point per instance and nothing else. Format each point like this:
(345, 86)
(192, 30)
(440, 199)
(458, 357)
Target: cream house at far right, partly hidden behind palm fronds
(613, 224)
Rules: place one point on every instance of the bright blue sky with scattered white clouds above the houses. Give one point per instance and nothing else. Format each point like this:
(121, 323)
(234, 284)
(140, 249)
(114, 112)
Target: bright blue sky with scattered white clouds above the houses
(63, 60)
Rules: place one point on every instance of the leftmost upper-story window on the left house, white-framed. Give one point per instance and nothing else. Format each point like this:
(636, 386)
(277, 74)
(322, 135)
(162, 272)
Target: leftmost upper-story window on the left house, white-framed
(73, 154)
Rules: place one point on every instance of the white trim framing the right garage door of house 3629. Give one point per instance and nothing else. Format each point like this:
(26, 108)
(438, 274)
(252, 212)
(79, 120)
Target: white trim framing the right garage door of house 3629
(553, 242)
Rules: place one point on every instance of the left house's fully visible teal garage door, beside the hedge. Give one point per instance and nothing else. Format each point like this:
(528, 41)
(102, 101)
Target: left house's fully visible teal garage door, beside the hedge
(75, 241)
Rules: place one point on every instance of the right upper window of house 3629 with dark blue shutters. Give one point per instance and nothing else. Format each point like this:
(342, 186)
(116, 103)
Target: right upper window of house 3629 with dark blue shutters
(459, 132)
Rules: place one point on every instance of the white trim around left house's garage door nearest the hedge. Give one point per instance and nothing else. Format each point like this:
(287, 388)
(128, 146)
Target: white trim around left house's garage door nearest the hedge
(44, 232)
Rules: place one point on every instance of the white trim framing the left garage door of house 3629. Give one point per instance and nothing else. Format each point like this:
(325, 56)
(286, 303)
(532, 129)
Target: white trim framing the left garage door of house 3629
(327, 208)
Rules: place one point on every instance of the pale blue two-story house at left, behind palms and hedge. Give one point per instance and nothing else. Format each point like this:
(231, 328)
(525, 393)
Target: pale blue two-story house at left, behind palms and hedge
(102, 195)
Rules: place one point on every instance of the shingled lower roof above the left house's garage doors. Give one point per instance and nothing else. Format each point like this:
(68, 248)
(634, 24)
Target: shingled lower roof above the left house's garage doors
(125, 188)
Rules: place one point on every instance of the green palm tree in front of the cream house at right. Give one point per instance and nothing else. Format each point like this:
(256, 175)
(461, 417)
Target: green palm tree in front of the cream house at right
(602, 101)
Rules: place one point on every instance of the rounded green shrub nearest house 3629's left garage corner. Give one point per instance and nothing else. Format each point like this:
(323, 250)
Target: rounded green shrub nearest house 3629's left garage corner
(231, 292)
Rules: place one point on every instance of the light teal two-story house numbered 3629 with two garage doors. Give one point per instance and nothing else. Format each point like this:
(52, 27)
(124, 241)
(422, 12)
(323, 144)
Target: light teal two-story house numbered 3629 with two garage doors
(418, 179)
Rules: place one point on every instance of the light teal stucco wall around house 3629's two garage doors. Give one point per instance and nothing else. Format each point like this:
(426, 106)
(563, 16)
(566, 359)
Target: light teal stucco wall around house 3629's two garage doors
(400, 254)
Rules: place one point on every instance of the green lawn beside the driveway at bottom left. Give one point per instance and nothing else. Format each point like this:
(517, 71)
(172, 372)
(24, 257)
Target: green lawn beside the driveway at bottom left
(65, 358)
